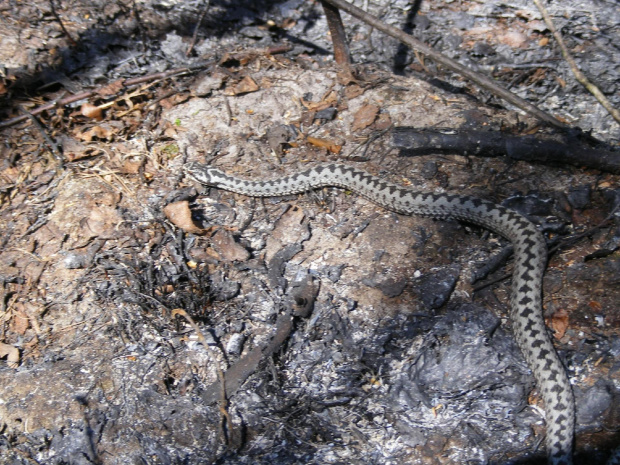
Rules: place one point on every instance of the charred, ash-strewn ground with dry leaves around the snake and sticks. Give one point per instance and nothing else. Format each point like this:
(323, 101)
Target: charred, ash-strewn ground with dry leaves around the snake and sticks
(402, 359)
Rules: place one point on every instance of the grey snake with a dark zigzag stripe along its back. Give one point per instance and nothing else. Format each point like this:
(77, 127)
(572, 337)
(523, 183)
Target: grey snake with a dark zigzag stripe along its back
(530, 259)
